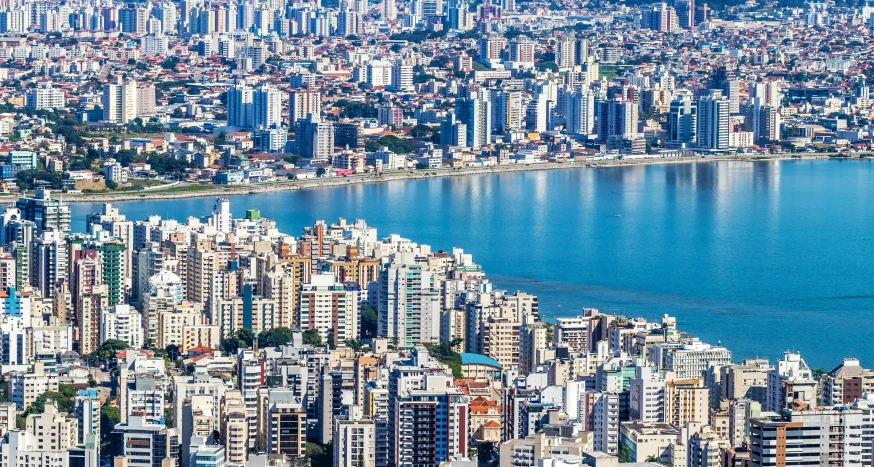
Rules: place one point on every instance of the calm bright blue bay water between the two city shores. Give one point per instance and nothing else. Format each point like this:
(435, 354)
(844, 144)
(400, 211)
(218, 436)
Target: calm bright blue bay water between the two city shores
(760, 256)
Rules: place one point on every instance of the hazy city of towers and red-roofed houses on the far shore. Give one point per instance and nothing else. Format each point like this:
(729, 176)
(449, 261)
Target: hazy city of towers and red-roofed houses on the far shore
(245, 92)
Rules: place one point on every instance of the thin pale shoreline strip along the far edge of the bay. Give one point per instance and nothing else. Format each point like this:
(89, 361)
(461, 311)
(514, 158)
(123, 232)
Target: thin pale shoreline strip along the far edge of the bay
(292, 185)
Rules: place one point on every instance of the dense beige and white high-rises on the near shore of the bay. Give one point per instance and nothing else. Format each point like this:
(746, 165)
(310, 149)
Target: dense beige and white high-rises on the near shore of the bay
(223, 341)
